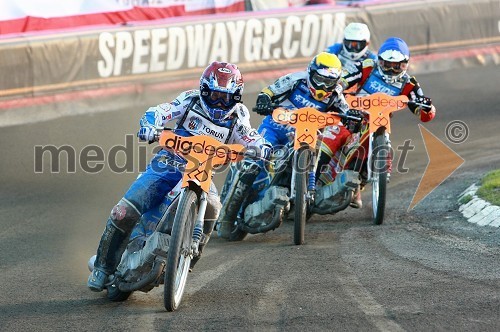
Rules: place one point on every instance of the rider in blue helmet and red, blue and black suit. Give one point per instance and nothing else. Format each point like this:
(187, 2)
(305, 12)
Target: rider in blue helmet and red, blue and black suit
(388, 75)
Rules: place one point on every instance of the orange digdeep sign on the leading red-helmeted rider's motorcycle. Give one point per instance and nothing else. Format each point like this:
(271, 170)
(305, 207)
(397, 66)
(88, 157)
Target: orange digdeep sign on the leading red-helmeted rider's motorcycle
(202, 153)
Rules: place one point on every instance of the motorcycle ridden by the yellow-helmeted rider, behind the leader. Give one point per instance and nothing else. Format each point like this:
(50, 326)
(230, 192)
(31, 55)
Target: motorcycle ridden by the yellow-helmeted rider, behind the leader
(293, 181)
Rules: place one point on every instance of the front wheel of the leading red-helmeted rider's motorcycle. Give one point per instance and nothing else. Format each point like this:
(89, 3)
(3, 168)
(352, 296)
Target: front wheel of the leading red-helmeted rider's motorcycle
(179, 251)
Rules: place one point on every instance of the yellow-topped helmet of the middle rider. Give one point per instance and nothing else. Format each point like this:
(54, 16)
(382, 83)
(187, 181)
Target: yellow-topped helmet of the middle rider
(324, 72)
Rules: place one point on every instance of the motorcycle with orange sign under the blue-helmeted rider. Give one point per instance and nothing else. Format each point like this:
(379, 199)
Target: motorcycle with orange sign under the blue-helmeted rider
(367, 157)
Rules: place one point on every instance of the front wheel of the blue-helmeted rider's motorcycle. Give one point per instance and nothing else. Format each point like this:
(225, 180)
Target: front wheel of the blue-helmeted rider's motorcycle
(379, 176)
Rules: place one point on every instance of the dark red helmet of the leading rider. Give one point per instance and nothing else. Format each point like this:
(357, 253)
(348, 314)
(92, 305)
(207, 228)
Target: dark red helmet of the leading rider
(221, 87)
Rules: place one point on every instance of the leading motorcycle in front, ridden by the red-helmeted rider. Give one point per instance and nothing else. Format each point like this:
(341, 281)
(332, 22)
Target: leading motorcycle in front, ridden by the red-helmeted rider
(164, 255)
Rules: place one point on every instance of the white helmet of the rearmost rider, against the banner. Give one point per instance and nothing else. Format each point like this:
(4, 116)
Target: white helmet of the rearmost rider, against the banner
(356, 40)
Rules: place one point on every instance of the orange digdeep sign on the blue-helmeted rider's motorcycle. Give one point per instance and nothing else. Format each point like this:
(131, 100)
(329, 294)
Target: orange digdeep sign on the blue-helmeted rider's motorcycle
(380, 106)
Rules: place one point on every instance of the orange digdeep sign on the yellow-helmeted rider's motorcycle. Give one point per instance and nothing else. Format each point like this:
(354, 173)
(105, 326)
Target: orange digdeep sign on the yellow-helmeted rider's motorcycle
(306, 122)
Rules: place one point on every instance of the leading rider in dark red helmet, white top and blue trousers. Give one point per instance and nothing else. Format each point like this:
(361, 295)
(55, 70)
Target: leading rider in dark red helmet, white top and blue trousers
(214, 110)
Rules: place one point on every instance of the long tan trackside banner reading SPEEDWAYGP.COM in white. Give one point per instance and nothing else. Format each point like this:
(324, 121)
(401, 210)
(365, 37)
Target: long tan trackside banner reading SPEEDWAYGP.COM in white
(267, 41)
